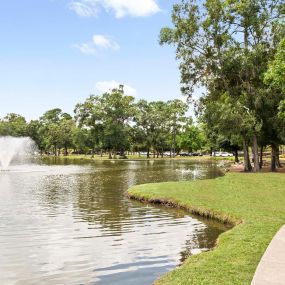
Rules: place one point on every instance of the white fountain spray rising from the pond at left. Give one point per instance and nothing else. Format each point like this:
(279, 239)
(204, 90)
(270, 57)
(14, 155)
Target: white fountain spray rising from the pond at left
(14, 149)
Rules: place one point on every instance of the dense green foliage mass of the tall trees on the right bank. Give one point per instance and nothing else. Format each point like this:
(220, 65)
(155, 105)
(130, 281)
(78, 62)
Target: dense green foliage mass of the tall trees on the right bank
(226, 46)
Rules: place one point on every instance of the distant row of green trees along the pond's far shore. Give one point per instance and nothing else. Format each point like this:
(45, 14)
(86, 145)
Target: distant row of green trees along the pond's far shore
(111, 123)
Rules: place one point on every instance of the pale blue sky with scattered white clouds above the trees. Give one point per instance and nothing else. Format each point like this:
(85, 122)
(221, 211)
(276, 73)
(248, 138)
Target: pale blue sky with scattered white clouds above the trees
(55, 53)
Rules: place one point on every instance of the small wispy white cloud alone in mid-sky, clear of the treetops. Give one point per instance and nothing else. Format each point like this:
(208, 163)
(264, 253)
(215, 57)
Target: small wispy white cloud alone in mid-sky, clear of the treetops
(98, 42)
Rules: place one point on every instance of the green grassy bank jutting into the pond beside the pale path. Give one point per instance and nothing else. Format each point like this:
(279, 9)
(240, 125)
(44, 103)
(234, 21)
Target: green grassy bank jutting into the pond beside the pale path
(255, 203)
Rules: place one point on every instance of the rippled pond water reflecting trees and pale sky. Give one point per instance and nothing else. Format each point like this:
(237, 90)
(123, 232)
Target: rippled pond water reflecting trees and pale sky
(64, 223)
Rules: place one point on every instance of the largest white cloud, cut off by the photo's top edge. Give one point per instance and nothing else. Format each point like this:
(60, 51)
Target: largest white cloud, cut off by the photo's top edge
(121, 8)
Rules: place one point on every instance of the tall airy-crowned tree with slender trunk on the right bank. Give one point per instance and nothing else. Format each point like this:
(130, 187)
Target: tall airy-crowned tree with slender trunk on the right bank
(225, 46)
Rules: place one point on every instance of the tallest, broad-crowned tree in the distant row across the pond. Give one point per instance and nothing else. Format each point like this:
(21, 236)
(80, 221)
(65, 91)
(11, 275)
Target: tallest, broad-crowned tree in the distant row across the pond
(108, 116)
